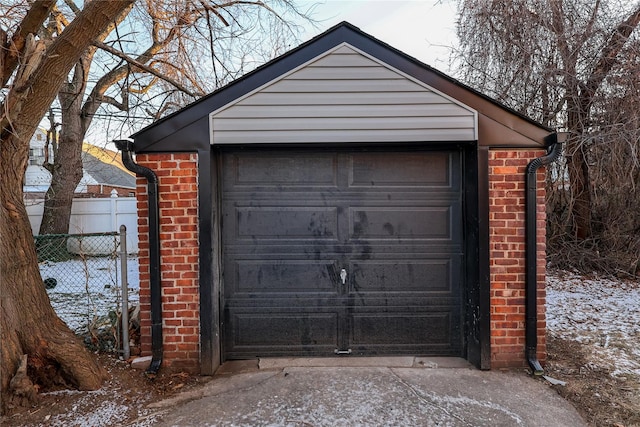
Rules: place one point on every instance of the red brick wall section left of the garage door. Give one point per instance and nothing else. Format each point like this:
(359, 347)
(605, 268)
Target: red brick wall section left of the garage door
(178, 201)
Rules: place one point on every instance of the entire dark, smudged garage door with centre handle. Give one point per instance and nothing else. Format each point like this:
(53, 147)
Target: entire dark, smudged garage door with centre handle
(341, 252)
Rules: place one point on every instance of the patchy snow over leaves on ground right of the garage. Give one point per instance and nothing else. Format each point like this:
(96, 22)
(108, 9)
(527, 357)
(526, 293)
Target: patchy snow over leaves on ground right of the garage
(602, 314)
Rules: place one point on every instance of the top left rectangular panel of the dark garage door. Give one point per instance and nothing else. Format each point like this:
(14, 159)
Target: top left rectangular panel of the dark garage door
(293, 170)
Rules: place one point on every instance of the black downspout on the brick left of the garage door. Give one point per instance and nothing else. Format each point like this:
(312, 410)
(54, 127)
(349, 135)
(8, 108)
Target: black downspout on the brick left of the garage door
(126, 147)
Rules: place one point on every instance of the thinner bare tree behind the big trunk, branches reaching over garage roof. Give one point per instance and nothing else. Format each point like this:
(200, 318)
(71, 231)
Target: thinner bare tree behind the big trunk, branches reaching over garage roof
(192, 47)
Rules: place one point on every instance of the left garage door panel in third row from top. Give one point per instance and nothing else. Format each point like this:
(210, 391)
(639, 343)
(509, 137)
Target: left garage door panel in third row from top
(269, 277)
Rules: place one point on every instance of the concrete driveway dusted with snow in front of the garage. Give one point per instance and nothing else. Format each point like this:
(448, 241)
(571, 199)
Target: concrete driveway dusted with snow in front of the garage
(397, 391)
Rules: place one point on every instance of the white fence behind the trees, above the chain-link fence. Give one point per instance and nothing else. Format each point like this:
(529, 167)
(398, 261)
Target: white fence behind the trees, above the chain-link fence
(95, 216)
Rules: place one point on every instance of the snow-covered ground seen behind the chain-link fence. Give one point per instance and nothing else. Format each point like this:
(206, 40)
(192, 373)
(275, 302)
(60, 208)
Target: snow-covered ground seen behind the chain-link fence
(89, 289)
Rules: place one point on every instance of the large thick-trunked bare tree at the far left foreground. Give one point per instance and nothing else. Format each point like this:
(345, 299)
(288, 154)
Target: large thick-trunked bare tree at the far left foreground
(33, 69)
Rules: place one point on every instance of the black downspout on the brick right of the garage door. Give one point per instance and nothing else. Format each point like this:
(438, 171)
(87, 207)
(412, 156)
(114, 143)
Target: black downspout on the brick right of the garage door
(531, 284)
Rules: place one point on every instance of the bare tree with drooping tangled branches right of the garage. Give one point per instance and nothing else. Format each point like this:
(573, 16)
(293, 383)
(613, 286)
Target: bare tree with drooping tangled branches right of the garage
(572, 65)
